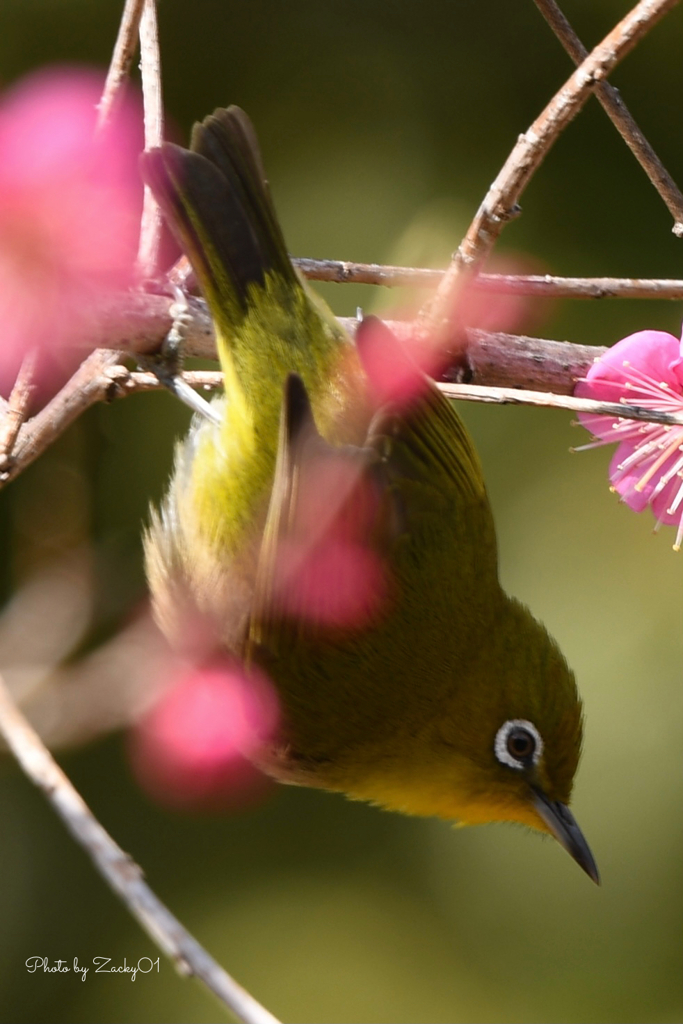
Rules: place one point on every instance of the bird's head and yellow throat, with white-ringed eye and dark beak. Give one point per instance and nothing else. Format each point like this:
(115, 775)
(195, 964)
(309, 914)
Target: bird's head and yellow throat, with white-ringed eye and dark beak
(504, 748)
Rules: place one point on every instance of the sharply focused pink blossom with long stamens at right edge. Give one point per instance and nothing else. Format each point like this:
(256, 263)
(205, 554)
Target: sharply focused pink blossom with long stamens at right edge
(646, 369)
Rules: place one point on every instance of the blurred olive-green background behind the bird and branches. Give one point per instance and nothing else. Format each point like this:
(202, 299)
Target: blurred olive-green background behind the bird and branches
(382, 124)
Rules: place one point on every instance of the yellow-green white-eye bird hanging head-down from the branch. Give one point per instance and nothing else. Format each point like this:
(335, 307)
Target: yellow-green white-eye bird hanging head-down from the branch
(448, 699)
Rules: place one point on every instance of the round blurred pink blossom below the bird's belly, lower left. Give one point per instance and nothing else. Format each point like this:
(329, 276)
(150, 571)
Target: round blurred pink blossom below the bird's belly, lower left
(193, 749)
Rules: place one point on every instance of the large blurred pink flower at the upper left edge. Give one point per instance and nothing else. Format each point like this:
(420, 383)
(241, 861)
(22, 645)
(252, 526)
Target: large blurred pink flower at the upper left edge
(70, 203)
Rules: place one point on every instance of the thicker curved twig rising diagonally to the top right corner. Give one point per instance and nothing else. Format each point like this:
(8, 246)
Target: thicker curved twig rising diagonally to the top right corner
(501, 203)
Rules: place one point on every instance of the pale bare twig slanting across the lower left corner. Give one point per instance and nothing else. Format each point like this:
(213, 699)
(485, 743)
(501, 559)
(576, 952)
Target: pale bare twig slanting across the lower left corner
(119, 871)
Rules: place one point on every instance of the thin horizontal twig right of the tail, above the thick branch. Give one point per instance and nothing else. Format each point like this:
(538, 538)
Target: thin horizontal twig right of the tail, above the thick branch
(550, 286)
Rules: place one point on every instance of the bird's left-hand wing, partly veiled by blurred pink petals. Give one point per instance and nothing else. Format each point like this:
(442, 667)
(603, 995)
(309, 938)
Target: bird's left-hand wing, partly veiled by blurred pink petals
(328, 509)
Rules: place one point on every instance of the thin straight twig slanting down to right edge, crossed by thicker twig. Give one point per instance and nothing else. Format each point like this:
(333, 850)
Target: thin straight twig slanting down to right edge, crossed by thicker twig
(612, 103)
